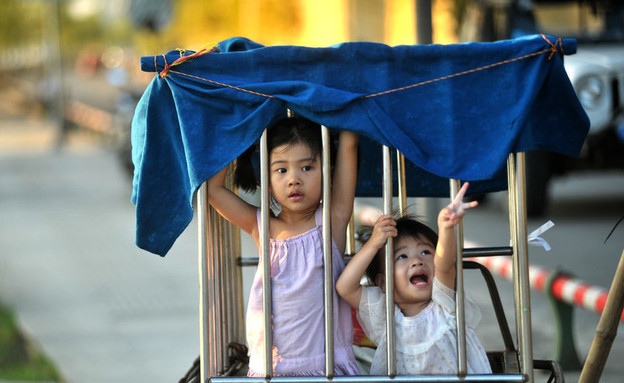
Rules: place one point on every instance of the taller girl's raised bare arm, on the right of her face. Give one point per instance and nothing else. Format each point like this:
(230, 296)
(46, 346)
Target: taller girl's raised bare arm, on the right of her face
(343, 186)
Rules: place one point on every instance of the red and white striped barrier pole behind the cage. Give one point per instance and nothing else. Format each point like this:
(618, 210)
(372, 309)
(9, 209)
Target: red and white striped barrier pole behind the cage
(564, 288)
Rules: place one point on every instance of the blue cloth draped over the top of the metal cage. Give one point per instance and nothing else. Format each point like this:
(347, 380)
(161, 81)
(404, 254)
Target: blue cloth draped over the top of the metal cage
(456, 111)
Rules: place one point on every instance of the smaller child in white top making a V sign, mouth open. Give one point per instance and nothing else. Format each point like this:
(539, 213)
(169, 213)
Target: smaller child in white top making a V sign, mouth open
(424, 295)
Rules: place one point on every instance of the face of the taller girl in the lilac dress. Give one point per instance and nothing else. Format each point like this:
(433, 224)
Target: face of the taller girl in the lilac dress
(295, 177)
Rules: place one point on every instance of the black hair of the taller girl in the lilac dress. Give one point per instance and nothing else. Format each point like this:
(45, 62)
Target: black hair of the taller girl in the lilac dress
(287, 131)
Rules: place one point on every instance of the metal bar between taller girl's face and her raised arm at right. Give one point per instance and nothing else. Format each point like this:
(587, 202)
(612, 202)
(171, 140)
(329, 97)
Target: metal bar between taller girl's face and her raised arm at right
(328, 287)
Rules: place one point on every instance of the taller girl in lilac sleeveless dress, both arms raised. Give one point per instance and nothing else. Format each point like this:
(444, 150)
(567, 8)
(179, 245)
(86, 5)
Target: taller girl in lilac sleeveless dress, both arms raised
(296, 249)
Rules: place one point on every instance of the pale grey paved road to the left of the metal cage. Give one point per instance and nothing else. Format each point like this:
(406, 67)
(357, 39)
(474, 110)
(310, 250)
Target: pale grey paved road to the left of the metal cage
(102, 309)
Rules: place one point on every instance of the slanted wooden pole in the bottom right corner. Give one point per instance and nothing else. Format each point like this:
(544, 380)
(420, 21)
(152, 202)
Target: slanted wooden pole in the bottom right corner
(606, 330)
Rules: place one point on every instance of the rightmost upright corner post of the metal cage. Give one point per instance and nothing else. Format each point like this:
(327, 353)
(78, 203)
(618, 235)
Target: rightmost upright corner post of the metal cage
(522, 263)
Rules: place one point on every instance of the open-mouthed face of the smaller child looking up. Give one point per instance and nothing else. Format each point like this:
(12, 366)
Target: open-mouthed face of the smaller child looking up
(413, 273)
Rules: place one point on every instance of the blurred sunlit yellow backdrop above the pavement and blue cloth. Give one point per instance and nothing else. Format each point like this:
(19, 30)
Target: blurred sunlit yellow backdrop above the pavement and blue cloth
(52, 50)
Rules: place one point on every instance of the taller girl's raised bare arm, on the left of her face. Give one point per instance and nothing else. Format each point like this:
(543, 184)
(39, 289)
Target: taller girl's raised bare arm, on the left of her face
(231, 206)
